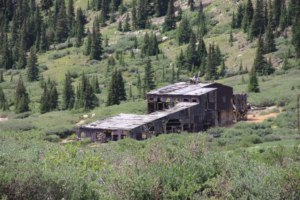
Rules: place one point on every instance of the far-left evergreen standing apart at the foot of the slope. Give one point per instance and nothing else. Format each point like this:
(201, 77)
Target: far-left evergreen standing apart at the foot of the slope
(21, 98)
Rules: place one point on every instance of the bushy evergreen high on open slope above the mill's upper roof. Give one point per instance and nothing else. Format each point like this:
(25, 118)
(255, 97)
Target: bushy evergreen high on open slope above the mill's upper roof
(184, 31)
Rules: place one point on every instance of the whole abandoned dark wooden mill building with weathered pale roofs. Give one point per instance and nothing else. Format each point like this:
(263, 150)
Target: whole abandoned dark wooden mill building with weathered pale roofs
(184, 106)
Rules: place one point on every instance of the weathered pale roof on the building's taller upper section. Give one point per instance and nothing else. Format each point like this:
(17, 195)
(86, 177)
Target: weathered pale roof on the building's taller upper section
(184, 88)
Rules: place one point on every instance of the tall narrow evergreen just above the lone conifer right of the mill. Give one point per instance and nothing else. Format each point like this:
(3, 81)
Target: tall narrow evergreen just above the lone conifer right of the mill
(259, 61)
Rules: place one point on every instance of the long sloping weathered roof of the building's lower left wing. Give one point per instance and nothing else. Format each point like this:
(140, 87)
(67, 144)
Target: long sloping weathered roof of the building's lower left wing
(130, 121)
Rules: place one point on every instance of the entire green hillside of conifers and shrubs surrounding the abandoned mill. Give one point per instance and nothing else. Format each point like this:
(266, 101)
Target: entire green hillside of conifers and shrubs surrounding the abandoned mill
(66, 63)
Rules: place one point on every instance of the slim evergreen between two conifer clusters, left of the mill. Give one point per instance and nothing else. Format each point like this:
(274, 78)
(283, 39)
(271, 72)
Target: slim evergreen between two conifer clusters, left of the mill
(68, 92)
